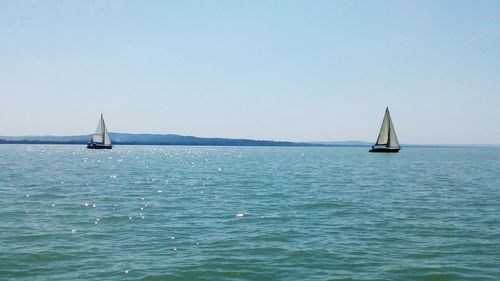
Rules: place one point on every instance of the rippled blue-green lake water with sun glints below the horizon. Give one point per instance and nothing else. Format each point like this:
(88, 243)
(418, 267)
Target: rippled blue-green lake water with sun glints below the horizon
(239, 213)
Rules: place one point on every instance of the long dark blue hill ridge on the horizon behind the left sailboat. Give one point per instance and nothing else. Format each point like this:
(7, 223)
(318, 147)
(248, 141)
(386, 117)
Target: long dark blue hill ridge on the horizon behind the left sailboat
(150, 139)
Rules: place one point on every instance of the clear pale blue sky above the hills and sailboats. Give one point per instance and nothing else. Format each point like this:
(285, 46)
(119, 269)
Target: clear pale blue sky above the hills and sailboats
(282, 70)
